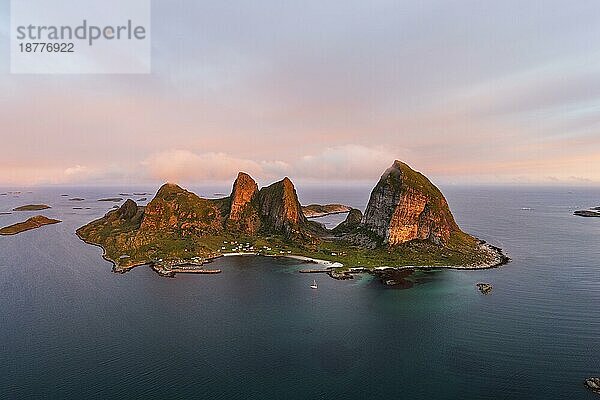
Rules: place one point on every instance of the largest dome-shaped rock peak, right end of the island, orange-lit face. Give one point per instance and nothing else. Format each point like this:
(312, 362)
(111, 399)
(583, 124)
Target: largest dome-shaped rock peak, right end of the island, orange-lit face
(405, 205)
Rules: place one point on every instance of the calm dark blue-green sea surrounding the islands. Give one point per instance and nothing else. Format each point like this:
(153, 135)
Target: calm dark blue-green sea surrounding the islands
(72, 329)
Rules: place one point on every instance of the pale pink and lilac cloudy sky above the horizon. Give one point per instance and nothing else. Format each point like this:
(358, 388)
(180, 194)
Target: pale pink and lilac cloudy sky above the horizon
(464, 91)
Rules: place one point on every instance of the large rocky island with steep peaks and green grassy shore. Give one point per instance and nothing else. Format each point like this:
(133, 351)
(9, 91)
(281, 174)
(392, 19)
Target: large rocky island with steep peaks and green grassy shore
(407, 224)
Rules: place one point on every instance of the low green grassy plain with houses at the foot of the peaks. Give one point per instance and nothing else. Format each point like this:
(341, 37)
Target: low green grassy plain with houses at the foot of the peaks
(116, 239)
